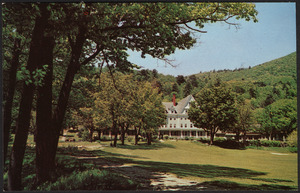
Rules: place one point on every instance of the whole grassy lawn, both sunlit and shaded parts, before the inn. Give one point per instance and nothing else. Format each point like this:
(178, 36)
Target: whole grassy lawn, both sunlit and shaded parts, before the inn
(212, 167)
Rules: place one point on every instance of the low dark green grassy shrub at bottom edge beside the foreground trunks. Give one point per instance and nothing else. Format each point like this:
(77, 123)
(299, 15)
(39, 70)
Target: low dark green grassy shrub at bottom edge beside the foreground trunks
(90, 180)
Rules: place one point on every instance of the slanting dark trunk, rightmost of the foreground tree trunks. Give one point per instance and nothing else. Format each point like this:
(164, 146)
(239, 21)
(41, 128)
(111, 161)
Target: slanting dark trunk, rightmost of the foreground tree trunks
(64, 94)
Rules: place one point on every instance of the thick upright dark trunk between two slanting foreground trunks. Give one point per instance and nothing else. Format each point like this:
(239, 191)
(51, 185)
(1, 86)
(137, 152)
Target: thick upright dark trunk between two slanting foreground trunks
(44, 164)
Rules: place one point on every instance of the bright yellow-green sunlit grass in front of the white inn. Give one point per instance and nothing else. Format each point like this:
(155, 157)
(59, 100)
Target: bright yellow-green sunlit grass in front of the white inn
(279, 169)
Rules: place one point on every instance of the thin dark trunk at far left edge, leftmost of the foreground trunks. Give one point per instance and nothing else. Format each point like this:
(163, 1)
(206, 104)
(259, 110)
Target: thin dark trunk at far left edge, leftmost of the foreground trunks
(10, 96)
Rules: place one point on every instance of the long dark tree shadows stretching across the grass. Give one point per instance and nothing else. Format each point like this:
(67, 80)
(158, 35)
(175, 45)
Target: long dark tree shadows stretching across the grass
(137, 170)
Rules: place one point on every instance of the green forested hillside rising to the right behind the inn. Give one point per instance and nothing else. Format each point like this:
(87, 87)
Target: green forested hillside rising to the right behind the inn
(263, 84)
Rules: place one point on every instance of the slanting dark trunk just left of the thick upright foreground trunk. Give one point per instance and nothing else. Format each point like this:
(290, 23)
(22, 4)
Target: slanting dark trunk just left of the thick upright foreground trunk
(34, 59)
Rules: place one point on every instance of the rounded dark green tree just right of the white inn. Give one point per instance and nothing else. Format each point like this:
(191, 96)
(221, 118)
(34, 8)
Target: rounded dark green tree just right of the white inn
(214, 109)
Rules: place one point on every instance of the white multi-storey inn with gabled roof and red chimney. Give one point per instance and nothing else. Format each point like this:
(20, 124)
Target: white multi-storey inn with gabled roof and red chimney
(177, 124)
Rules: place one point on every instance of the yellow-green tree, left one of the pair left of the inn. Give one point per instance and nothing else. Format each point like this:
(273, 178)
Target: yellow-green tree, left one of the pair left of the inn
(113, 103)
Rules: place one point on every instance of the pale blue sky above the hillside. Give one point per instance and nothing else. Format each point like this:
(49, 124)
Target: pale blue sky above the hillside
(224, 47)
